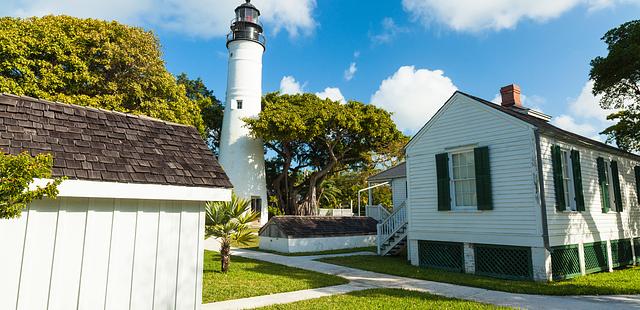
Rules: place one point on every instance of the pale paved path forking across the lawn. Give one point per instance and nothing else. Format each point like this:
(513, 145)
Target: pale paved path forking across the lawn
(361, 279)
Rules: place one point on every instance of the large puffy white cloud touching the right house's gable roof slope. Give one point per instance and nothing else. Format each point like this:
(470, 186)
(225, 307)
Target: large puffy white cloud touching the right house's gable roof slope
(413, 96)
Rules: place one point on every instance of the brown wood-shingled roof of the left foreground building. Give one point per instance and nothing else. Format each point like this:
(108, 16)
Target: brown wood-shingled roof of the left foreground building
(95, 144)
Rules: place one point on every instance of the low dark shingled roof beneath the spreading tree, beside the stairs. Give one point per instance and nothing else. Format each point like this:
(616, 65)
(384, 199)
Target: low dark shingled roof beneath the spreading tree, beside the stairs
(321, 226)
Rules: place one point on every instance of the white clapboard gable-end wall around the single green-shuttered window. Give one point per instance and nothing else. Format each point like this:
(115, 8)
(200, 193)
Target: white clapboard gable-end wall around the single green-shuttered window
(515, 218)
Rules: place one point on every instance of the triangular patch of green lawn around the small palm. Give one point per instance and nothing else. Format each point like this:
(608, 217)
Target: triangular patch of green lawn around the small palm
(247, 278)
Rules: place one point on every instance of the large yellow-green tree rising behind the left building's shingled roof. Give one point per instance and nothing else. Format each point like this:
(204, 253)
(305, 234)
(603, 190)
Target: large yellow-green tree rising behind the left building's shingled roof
(93, 63)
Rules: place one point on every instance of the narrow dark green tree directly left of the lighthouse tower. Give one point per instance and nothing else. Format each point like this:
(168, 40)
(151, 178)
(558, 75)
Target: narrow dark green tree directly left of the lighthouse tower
(211, 108)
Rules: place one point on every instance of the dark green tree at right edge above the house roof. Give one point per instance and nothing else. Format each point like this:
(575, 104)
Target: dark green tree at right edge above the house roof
(617, 78)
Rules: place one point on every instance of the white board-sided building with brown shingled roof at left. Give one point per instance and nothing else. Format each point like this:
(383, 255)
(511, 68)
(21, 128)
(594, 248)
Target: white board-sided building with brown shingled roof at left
(127, 229)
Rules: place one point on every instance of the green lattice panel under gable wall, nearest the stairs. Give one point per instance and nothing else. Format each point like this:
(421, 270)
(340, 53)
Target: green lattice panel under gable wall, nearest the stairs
(441, 255)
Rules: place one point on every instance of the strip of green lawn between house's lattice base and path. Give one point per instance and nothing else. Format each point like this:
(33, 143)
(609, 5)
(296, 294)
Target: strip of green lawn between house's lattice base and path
(625, 281)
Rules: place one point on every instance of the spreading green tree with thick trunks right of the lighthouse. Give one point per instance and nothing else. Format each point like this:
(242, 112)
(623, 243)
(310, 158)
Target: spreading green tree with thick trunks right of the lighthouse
(314, 139)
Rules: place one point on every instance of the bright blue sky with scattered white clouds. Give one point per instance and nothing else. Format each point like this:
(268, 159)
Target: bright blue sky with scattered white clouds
(406, 55)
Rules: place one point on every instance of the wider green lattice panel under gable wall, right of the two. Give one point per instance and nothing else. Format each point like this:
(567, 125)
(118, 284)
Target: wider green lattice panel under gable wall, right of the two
(503, 261)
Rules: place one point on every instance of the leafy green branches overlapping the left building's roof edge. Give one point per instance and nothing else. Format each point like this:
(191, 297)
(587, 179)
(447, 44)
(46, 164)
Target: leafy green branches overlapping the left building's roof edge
(16, 174)
